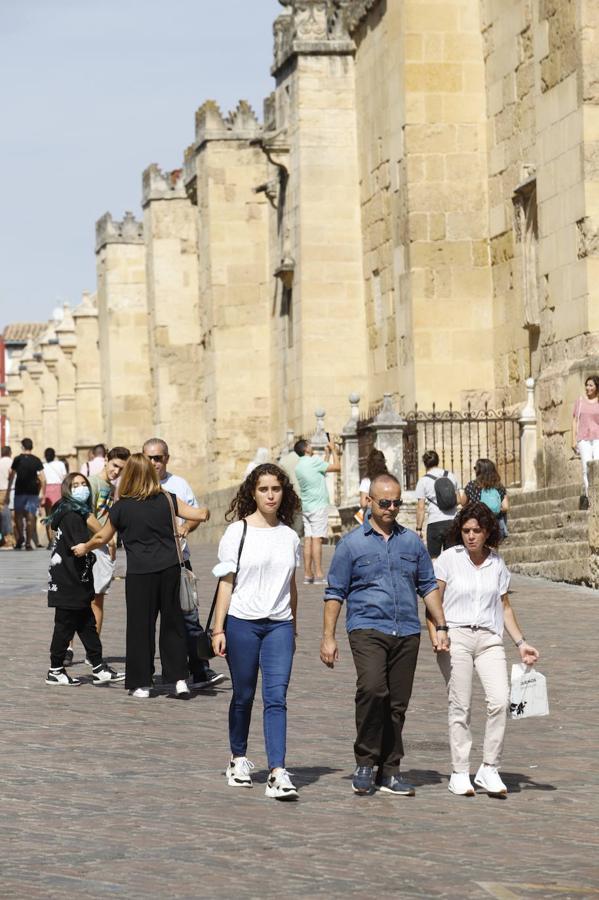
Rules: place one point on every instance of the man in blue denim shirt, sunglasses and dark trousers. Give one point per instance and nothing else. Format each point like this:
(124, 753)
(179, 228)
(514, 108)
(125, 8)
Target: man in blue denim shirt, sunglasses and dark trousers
(378, 569)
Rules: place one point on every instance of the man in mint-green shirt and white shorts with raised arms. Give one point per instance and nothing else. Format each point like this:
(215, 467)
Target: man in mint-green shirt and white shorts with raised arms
(311, 472)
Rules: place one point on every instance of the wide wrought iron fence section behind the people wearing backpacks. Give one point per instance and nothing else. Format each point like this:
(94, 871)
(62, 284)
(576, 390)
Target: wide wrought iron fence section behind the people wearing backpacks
(460, 438)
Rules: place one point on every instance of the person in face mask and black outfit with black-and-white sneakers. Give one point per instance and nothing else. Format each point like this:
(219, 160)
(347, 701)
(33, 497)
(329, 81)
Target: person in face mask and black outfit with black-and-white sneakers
(71, 585)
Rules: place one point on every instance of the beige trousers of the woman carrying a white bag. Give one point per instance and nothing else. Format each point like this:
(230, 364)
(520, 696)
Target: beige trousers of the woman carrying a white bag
(484, 651)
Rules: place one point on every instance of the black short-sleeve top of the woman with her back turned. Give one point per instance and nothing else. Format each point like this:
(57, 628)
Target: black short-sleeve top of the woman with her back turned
(146, 529)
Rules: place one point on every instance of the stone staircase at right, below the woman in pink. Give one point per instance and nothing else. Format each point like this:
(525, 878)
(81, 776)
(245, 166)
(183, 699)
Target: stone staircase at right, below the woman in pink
(548, 535)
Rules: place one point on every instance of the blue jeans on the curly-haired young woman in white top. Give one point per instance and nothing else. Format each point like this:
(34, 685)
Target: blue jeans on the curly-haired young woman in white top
(266, 645)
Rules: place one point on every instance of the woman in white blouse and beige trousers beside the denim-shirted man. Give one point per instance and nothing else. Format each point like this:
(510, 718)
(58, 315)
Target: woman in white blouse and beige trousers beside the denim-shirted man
(474, 581)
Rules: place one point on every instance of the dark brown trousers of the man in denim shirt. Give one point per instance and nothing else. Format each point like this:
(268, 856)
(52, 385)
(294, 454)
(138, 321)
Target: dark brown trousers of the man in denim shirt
(385, 665)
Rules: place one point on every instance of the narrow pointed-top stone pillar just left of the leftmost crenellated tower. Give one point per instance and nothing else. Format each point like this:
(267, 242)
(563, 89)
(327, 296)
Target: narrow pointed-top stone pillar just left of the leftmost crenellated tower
(88, 387)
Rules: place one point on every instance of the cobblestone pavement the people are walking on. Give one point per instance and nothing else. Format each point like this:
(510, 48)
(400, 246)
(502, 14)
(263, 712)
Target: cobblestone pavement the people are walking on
(106, 796)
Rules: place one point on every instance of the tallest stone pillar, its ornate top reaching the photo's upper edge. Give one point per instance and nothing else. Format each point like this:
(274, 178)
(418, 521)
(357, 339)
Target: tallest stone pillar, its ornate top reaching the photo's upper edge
(312, 133)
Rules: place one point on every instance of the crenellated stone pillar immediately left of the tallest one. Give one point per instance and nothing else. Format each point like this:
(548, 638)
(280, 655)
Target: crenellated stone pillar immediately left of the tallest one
(222, 171)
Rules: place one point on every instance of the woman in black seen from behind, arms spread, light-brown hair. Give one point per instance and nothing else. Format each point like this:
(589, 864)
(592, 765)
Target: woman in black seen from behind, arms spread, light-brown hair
(142, 517)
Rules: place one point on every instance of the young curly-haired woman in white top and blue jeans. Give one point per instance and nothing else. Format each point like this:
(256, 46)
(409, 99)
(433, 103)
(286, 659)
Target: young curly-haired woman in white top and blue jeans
(255, 618)
